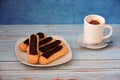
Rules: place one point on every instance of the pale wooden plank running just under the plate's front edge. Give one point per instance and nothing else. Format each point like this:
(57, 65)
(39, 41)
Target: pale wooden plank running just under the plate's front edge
(72, 65)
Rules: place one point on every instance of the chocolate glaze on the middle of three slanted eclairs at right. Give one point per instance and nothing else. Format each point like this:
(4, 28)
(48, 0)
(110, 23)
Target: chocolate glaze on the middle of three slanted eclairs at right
(49, 46)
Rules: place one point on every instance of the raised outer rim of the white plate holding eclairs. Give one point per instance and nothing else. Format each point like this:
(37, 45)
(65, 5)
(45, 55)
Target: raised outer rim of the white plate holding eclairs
(47, 65)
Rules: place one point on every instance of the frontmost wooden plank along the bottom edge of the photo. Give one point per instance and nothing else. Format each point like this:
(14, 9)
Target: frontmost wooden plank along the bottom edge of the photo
(58, 75)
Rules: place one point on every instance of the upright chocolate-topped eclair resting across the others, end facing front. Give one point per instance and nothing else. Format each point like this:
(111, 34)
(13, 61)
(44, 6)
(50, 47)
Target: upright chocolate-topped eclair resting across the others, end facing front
(33, 54)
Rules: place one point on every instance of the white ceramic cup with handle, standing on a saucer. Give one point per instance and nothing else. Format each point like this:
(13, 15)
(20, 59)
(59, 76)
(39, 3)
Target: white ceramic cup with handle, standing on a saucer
(94, 34)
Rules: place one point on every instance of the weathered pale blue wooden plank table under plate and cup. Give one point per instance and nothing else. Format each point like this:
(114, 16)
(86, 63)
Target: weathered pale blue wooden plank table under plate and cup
(86, 64)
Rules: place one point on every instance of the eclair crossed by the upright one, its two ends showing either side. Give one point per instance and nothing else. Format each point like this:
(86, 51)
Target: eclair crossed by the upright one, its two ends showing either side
(24, 45)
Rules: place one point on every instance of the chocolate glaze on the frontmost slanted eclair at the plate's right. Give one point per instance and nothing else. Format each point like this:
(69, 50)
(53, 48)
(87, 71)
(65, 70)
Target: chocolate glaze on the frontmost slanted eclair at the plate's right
(49, 53)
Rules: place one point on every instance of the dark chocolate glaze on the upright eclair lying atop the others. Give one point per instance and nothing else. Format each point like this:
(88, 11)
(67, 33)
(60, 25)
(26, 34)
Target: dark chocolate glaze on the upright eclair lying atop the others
(33, 44)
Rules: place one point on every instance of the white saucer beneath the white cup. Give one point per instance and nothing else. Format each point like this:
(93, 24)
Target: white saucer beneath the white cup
(81, 42)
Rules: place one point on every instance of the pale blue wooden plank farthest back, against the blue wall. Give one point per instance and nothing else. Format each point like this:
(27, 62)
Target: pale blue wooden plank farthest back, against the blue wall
(44, 28)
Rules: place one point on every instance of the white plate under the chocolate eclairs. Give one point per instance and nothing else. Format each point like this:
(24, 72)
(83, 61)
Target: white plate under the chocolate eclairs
(22, 56)
